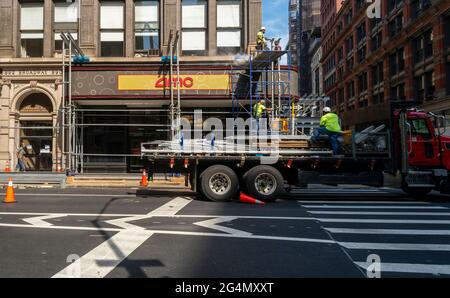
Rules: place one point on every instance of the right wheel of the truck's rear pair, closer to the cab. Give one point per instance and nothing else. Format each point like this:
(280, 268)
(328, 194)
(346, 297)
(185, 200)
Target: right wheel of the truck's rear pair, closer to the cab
(264, 183)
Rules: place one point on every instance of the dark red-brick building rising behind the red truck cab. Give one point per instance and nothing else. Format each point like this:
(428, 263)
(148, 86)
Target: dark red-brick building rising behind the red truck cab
(404, 55)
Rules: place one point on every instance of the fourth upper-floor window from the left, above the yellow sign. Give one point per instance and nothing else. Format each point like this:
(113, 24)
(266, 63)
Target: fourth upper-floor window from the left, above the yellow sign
(146, 27)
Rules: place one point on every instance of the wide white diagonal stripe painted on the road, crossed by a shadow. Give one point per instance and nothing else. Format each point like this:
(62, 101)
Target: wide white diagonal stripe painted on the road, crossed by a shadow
(104, 258)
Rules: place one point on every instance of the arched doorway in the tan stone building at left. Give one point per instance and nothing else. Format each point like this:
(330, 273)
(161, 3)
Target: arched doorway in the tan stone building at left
(36, 131)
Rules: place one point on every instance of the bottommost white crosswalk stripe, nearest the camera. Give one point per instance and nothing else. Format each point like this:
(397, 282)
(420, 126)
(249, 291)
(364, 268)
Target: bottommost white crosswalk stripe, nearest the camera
(409, 268)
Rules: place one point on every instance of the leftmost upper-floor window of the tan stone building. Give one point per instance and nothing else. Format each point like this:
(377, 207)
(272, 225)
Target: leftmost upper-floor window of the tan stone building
(32, 29)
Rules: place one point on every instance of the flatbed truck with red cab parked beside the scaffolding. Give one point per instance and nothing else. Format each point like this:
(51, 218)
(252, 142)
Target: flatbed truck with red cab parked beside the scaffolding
(415, 158)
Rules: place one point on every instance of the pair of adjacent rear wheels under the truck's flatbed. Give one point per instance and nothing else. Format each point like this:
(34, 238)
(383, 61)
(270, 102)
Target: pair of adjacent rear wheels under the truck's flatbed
(221, 184)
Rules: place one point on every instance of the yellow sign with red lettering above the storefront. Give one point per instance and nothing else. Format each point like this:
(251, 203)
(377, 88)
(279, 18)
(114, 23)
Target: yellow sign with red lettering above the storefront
(187, 82)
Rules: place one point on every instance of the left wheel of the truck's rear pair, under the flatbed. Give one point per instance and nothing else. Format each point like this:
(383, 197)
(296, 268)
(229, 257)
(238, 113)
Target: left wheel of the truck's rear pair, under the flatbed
(219, 183)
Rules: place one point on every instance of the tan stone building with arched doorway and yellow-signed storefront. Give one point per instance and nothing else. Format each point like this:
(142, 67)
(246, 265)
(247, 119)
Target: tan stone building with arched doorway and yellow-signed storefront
(122, 97)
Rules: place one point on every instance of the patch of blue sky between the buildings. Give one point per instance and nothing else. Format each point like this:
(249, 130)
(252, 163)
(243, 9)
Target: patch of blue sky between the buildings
(275, 19)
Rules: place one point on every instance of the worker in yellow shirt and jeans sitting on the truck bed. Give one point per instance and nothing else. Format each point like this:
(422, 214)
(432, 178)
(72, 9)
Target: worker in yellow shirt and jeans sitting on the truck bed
(329, 125)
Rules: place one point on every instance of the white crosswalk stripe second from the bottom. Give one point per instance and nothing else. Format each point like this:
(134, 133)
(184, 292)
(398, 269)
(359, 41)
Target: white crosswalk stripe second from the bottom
(396, 246)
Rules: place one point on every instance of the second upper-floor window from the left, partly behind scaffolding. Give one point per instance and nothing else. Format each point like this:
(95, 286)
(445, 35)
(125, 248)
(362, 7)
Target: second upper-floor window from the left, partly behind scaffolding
(66, 20)
